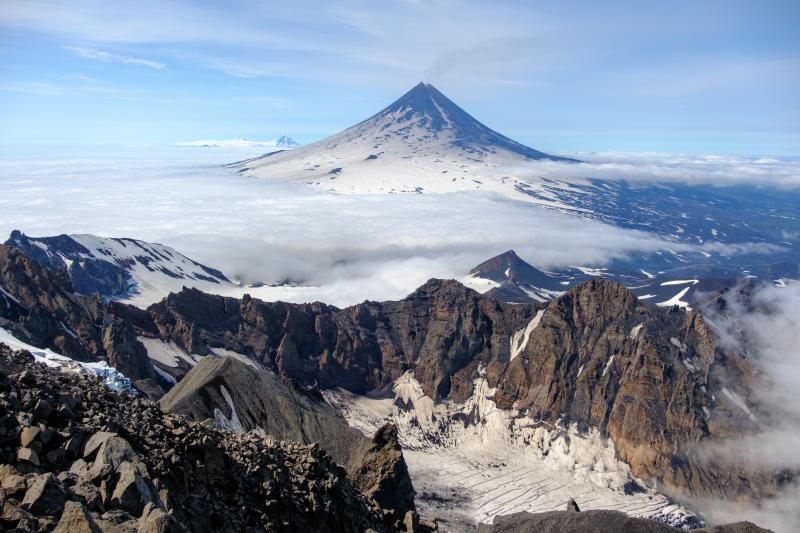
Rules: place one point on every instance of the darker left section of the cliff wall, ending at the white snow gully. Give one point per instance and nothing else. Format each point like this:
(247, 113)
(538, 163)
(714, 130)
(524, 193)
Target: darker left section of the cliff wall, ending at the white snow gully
(443, 330)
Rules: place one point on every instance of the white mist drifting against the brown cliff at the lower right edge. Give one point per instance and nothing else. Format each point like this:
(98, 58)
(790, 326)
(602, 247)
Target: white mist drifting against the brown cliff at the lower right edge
(767, 326)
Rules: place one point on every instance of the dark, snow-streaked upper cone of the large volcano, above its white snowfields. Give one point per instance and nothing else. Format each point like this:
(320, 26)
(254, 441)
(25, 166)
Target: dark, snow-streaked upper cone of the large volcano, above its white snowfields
(426, 107)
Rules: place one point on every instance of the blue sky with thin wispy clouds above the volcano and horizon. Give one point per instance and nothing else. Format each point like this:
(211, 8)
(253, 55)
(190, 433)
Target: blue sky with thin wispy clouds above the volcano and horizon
(694, 76)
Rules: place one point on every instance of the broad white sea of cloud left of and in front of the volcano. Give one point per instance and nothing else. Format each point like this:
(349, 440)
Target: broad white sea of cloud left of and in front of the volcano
(353, 247)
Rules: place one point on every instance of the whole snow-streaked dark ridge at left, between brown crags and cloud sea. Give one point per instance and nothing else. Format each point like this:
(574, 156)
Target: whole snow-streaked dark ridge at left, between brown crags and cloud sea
(117, 268)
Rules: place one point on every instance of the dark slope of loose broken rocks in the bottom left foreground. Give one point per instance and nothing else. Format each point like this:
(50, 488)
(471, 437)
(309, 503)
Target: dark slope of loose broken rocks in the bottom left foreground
(101, 461)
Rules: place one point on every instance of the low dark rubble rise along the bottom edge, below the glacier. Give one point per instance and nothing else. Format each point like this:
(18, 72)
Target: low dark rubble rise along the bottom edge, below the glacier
(596, 522)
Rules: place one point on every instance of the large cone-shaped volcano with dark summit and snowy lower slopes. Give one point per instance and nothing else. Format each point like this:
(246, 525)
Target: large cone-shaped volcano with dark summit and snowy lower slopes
(422, 142)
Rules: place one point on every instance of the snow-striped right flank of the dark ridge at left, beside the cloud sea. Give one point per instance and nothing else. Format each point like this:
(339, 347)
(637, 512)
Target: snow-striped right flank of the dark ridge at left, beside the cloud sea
(155, 269)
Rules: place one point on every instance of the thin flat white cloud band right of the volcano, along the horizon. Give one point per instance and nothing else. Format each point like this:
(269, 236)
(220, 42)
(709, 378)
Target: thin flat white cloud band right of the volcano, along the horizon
(717, 170)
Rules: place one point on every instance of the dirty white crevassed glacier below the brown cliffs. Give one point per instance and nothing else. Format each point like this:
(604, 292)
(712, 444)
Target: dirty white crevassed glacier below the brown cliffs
(472, 462)
